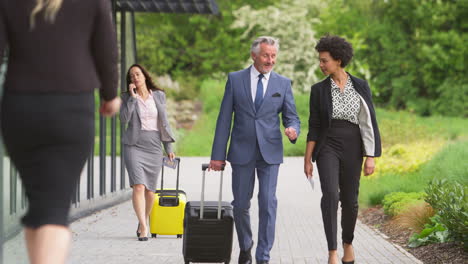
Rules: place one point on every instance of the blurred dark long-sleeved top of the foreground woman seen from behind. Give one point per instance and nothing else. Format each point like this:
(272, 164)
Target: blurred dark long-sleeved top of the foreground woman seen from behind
(77, 53)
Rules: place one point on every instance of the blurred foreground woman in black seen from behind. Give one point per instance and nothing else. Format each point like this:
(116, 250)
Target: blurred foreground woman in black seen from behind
(47, 108)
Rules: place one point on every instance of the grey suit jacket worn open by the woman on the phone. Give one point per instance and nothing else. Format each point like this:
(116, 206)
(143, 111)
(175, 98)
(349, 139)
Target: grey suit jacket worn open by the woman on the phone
(130, 116)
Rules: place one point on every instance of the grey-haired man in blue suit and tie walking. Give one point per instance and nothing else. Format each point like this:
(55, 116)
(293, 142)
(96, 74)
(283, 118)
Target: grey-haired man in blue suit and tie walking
(255, 96)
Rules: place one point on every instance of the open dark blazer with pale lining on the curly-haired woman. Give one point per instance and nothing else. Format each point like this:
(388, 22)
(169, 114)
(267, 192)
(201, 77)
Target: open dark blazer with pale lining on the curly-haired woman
(321, 109)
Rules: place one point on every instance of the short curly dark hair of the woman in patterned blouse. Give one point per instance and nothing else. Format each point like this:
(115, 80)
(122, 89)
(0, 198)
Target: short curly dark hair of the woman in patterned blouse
(338, 47)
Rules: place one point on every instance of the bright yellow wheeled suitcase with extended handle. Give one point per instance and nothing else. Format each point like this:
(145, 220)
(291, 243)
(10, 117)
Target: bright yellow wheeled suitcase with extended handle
(167, 215)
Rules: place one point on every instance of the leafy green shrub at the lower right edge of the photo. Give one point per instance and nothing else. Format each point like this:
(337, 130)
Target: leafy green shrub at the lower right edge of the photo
(449, 200)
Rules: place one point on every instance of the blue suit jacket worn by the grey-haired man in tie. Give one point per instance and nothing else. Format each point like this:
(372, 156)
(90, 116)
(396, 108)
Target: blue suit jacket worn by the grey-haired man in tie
(249, 125)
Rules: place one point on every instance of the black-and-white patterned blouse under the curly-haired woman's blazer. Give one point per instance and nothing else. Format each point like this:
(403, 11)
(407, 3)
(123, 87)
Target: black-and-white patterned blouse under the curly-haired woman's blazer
(346, 104)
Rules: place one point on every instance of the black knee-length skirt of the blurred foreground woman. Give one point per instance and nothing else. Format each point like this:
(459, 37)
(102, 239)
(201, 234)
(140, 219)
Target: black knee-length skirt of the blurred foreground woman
(48, 138)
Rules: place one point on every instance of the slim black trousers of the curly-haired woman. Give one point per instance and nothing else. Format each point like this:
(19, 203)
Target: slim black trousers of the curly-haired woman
(339, 164)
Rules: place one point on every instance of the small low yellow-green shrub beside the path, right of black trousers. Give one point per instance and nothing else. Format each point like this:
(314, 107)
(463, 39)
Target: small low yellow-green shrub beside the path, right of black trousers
(397, 202)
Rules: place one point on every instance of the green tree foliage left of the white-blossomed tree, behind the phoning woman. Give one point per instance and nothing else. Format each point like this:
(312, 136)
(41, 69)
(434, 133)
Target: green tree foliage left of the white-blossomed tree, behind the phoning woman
(184, 45)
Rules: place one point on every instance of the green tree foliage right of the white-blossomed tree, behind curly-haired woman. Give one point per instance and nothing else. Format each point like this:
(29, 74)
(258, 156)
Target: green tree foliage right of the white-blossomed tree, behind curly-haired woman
(415, 50)
